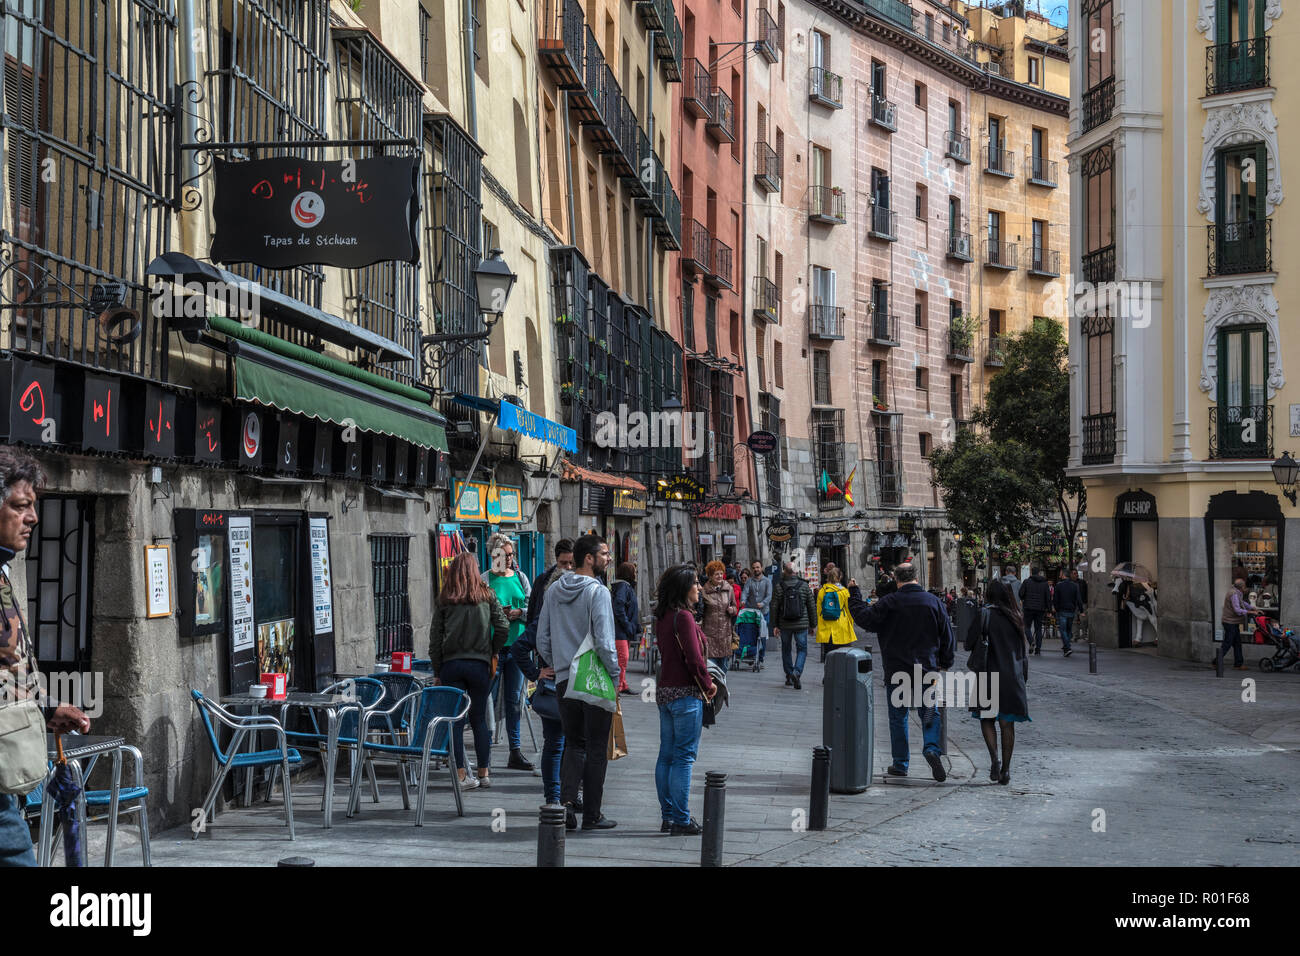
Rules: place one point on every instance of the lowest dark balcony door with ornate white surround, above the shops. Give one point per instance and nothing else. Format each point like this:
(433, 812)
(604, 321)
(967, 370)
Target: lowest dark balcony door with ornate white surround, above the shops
(1243, 371)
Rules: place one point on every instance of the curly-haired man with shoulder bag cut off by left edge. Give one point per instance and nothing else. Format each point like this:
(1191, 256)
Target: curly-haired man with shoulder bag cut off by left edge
(20, 676)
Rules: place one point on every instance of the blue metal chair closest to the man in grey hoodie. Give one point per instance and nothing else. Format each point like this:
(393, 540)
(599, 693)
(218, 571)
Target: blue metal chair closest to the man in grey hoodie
(439, 708)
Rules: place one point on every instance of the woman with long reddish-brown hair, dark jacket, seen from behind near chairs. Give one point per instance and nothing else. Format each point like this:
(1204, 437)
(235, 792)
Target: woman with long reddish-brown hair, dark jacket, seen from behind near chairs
(469, 630)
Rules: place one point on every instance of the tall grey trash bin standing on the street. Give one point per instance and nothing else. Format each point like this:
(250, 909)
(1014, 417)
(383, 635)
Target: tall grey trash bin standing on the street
(848, 720)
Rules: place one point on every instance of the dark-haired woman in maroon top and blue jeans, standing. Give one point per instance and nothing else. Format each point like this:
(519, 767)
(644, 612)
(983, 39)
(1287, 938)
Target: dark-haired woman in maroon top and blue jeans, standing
(683, 693)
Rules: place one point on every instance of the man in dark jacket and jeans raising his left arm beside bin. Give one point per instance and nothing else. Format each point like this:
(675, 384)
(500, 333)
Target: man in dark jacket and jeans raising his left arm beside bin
(915, 630)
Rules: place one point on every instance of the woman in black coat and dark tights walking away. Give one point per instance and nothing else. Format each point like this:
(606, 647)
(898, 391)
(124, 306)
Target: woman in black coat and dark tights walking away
(1007, 659)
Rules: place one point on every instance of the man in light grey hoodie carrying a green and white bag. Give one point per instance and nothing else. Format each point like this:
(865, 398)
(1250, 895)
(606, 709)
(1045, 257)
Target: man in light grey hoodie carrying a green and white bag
(578, 604)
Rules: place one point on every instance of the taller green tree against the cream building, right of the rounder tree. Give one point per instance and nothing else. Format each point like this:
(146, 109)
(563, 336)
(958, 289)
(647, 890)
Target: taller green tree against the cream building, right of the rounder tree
(1029, 401)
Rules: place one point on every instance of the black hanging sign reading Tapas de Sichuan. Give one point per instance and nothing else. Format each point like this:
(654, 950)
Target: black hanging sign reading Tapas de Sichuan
(284, 213)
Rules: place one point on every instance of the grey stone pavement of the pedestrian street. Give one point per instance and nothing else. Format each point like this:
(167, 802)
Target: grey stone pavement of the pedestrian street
(1185, 771)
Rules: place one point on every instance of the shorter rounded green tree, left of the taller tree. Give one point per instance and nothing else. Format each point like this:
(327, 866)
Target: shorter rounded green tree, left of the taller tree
(991, 488)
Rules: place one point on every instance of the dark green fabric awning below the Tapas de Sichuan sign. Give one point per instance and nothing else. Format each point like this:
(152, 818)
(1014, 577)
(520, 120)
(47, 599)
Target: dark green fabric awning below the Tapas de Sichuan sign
(289, 386)
